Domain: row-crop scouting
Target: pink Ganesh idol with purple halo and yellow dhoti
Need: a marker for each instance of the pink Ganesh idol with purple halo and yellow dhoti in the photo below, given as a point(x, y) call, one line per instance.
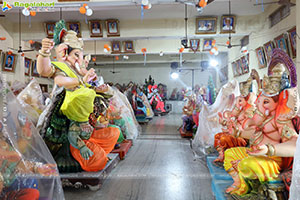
point(271, 131)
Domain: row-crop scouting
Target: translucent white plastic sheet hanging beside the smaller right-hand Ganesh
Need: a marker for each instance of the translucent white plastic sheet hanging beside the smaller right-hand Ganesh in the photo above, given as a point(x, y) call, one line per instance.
point(209, 120)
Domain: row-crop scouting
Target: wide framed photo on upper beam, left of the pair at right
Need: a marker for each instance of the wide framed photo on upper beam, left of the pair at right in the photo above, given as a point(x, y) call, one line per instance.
point(206, 25)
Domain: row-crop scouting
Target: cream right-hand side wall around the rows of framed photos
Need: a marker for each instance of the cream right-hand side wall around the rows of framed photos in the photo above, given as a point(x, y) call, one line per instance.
point(260, 33)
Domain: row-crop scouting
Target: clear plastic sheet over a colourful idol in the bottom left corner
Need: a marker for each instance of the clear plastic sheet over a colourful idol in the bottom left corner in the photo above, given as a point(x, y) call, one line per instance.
point(26, 165)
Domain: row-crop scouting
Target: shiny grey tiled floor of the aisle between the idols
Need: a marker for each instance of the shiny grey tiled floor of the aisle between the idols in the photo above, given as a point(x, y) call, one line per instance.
point(160, 166)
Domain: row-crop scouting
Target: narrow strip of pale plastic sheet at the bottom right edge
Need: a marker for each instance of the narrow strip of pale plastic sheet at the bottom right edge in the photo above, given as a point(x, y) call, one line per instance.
point(295, 186)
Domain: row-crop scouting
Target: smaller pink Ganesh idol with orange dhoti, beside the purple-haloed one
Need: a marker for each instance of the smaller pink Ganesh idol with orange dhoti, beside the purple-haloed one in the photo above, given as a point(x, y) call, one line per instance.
point(233, 121)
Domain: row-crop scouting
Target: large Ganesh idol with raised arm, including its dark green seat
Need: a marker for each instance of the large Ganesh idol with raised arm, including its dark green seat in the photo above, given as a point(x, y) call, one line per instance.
point(67, 129)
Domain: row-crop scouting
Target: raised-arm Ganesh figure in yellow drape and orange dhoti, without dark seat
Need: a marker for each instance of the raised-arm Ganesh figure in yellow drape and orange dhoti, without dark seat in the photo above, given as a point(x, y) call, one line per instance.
point(88, 146)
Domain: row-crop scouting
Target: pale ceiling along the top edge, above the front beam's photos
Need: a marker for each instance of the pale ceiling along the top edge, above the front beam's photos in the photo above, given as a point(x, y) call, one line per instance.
point(130, 9)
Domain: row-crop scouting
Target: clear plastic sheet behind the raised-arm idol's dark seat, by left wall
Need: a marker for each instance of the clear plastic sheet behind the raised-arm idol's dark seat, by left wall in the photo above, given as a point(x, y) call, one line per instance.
point(31, 99)
